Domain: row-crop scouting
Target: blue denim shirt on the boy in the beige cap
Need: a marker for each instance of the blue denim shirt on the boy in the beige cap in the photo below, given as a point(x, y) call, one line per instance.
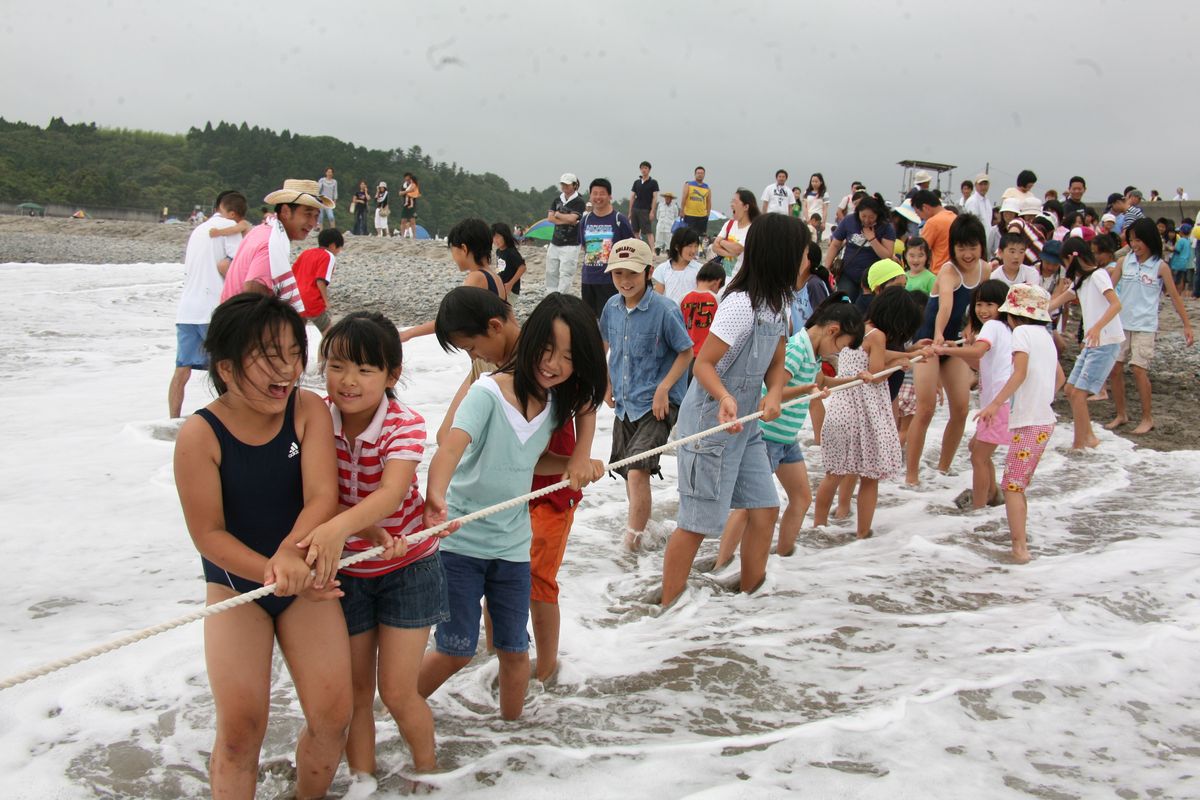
point(643, 346)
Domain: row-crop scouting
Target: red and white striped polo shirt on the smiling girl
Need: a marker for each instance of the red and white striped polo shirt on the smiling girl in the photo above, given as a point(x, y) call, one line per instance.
point(395, 432)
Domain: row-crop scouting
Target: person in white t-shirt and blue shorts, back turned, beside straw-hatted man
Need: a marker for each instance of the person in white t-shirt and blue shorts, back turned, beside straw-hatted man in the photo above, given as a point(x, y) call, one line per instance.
point(206, 262)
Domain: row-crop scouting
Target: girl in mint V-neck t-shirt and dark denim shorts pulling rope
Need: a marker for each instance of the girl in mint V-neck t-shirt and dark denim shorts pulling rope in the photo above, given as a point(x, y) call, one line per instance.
point(500, 438)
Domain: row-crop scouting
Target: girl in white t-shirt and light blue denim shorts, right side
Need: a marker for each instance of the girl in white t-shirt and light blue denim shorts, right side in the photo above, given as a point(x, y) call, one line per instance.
point(1103, 334)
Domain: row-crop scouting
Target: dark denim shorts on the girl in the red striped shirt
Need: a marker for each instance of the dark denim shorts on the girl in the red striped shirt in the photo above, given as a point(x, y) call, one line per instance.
point(413, 597)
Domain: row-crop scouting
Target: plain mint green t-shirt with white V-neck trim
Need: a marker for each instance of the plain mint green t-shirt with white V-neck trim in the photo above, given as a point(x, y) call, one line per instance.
point(497, 466)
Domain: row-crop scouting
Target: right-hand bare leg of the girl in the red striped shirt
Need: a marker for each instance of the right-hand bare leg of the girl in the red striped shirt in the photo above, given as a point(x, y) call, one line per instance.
point(401, 653)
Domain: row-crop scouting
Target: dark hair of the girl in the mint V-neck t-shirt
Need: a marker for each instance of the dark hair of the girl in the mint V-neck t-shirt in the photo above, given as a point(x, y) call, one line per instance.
point(590, 372)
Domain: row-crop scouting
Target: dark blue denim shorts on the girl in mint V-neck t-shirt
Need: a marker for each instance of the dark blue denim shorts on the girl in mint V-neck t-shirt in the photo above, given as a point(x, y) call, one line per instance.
point(506, 585)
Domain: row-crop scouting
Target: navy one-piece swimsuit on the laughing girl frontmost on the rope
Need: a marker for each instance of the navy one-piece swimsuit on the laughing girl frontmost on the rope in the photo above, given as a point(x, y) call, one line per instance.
point(262, 494)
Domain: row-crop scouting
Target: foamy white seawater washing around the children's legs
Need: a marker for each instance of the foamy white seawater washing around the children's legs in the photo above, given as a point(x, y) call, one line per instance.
point(920, 664)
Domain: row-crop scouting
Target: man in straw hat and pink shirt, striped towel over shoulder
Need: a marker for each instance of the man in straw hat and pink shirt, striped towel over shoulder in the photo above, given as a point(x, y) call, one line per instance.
point(263, 262)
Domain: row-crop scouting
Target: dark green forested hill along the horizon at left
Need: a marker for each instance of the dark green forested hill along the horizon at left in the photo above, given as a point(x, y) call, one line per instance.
point(85, 165)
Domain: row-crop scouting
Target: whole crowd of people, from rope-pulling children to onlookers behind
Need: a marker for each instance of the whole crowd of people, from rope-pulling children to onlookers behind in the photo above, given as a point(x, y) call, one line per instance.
point(278, 484)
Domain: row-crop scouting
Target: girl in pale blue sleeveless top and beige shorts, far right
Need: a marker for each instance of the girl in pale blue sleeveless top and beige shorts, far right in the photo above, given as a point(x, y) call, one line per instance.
point(1142, 279)
